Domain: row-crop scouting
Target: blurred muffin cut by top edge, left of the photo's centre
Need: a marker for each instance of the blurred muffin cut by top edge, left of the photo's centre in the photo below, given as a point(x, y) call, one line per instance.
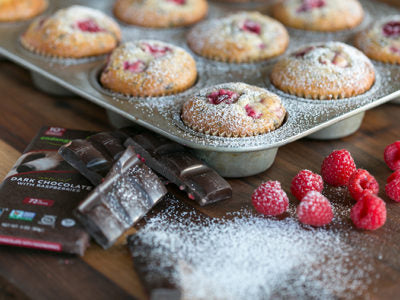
point(160, 13)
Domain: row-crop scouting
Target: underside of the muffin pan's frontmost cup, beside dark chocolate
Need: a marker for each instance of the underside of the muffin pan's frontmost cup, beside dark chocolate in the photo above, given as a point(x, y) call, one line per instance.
point(238, 164)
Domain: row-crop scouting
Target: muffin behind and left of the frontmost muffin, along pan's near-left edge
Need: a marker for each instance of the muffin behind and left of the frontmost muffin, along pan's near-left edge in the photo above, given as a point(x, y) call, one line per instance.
point(149, 68)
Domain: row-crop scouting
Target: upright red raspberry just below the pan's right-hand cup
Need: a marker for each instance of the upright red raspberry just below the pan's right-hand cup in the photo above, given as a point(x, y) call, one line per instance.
point(337, 168)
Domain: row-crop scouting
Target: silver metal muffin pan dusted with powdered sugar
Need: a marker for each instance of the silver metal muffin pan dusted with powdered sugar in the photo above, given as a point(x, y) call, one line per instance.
point(232, 157)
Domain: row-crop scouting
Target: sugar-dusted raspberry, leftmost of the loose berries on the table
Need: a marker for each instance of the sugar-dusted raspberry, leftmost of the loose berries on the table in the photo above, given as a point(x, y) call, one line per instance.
point(269, 199)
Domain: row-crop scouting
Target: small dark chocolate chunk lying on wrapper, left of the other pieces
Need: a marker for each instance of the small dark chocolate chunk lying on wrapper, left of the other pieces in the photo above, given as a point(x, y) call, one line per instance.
point(84, 157)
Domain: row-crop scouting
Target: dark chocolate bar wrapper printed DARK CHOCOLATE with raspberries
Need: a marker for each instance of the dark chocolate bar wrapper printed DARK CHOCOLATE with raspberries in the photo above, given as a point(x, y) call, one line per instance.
point(38, 195)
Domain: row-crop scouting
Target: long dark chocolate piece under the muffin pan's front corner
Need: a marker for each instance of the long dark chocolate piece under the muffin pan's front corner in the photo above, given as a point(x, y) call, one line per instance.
point(175, 163)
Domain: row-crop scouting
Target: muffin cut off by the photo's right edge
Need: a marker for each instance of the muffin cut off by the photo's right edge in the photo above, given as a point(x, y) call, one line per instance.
point(381, 41)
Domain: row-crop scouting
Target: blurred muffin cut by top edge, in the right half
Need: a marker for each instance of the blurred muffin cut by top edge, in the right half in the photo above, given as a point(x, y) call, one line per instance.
point(319, 15)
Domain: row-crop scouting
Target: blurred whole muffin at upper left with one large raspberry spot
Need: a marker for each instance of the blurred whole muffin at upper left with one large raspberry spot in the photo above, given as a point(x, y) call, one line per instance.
point(73, 32)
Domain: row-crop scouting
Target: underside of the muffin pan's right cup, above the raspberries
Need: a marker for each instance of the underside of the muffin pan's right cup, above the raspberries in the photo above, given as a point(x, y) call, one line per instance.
point(340, 129)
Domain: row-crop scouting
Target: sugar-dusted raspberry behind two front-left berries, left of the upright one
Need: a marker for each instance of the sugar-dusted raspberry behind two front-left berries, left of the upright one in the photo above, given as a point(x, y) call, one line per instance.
point(304, 182)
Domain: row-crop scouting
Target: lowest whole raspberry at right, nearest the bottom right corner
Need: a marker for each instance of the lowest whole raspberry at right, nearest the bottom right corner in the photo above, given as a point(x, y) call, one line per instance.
point(369, 212)
